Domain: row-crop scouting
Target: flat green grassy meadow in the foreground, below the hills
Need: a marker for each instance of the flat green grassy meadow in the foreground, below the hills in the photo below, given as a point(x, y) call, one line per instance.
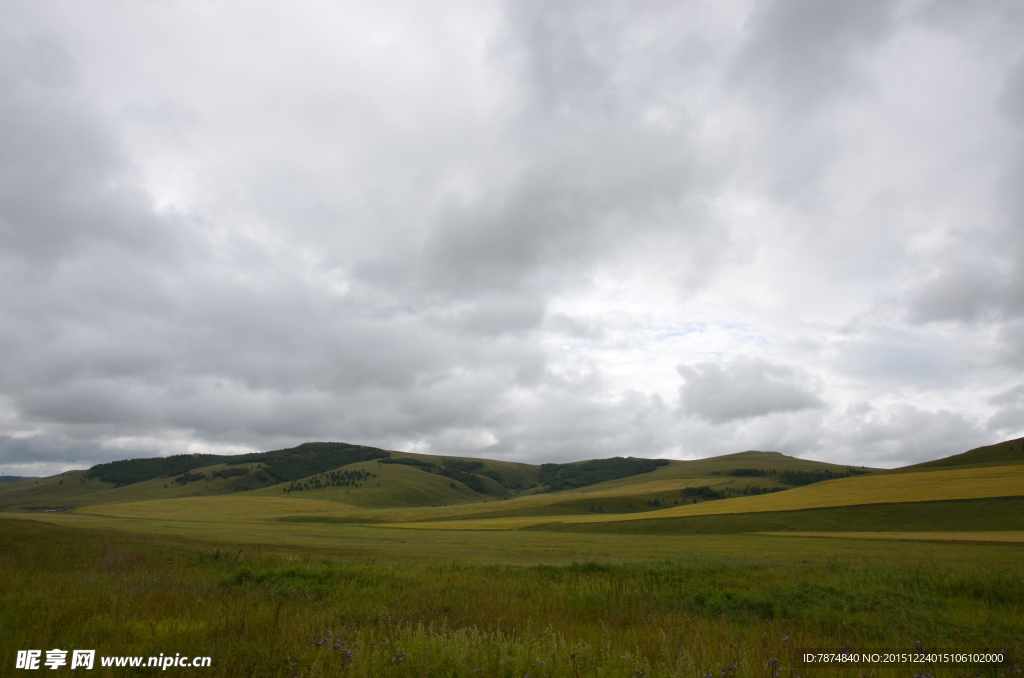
point(727, 606)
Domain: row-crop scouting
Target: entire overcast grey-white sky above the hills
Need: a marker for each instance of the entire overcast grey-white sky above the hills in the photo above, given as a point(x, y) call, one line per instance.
point(539, 232)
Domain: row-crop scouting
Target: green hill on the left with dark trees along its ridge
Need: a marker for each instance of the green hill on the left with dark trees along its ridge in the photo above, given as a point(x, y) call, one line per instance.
point(312, 470)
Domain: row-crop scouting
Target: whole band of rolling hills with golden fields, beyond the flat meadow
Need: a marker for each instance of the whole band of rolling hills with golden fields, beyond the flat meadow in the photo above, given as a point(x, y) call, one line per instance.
point(749, 492)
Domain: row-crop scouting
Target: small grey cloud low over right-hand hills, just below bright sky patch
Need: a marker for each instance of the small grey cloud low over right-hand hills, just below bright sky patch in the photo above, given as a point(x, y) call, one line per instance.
point(744, 389)
